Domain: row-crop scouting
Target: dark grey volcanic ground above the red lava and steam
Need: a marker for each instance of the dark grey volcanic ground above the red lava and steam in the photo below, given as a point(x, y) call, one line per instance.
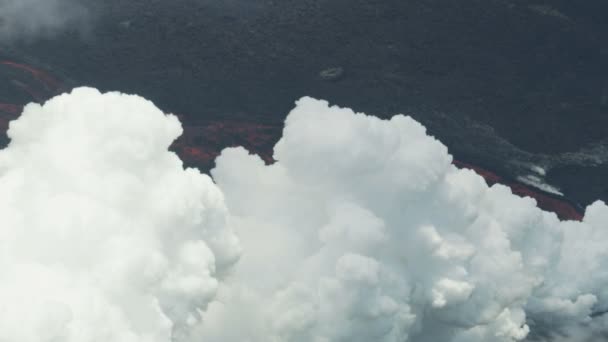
point(517, 87)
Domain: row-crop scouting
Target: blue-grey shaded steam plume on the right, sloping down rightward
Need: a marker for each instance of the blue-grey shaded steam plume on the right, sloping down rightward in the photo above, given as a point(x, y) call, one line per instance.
point(364, 231)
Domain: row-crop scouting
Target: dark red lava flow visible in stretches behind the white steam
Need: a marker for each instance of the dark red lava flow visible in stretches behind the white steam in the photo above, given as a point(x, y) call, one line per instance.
point(202, 142)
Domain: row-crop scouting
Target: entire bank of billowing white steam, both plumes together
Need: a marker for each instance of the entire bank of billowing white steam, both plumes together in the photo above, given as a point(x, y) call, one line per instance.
point(361, 231)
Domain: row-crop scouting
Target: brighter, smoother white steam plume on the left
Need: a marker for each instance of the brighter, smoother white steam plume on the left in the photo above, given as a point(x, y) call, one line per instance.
point(103, 235)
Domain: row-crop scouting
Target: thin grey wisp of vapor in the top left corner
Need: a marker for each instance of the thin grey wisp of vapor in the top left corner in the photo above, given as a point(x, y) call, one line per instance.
point(29, 19)
